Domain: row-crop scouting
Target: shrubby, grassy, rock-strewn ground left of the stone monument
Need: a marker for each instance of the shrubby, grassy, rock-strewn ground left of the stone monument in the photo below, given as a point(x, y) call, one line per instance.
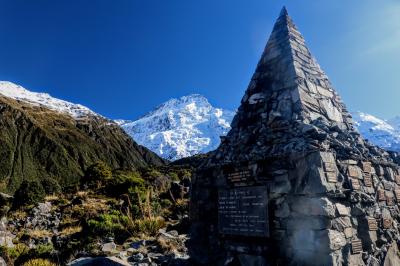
point(106, 214)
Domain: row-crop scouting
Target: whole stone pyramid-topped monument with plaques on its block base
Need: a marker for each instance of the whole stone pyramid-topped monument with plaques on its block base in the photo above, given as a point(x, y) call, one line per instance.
point(294, 183)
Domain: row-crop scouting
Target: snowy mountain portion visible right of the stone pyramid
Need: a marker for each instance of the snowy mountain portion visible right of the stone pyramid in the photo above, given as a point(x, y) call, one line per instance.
point(385, 134)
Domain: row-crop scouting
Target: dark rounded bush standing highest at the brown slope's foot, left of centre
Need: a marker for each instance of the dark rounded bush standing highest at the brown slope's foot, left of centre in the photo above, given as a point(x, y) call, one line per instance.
point(96, 174)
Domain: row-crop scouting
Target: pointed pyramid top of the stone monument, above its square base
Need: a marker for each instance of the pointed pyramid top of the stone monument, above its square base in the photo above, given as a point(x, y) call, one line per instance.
point(289, 106)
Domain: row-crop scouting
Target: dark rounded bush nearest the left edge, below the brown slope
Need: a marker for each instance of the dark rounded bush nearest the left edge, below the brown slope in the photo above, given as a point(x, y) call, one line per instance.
point(30, 192)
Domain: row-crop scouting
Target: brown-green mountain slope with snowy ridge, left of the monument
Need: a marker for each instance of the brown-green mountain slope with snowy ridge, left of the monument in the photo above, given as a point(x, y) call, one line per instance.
point(43, 137)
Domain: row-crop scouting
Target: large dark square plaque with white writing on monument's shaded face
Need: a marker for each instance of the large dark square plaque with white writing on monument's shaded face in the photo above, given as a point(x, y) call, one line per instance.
point(243, 211)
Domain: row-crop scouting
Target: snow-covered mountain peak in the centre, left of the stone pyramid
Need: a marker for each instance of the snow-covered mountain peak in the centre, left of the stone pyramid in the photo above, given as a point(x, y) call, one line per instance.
point(181, 127)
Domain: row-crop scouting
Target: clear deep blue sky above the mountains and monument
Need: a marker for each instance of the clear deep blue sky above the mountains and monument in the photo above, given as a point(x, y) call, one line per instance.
point(122, 58)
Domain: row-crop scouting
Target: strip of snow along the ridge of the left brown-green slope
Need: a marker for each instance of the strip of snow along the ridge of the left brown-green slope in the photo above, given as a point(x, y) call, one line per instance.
point(17, 92)
